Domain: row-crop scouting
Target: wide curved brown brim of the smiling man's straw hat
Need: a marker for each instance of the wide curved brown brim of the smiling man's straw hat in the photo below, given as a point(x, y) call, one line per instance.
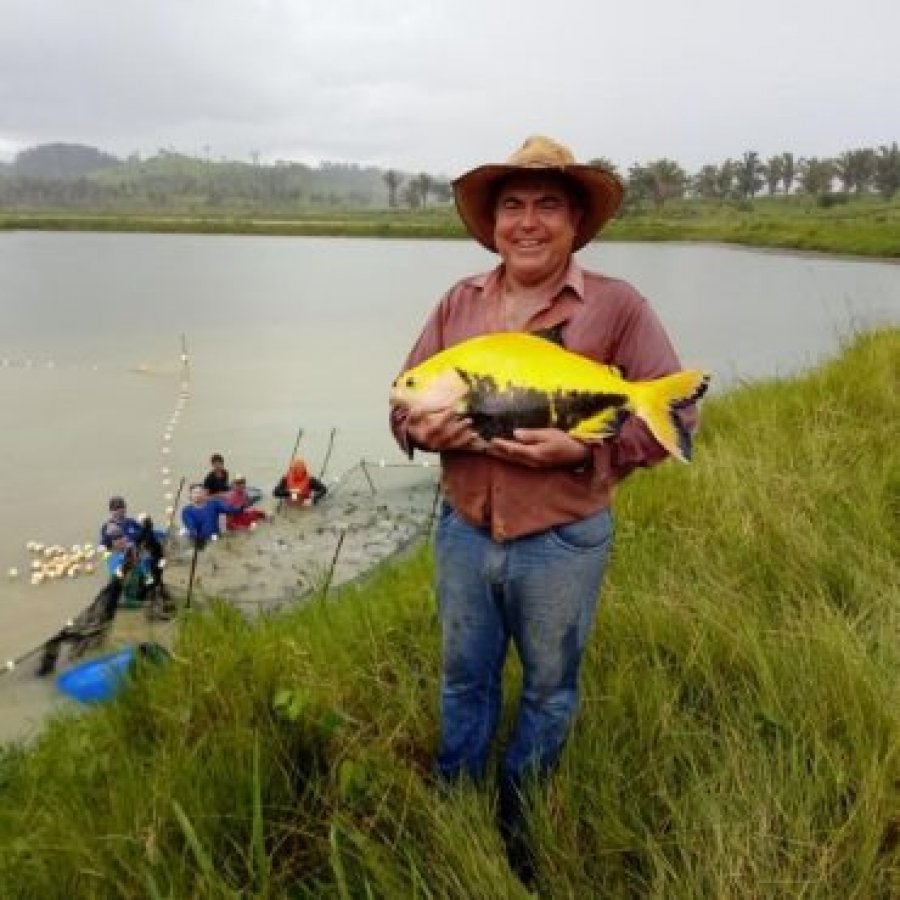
point(475, 196)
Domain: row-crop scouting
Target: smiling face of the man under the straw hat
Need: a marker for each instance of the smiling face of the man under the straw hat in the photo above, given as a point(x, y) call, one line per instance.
point(534, 227)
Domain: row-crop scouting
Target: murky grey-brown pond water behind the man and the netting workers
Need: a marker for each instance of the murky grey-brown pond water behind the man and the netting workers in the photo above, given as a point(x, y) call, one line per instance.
point(291, 332)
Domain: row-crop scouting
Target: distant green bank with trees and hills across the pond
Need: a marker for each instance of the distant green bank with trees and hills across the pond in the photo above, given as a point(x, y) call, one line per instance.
point(849, 204)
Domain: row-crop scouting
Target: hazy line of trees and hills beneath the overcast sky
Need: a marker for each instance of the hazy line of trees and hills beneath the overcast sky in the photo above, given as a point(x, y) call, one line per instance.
point(76, 176)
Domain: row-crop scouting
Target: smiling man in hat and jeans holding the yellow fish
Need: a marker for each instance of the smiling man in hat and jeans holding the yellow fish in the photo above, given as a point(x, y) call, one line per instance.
point(525, 530)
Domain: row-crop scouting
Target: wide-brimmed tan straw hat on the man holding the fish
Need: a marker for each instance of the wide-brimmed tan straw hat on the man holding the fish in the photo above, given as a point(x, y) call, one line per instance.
point(475, 191)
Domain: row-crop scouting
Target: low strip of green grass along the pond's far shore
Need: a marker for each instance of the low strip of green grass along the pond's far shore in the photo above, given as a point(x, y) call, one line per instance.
point(865, 227)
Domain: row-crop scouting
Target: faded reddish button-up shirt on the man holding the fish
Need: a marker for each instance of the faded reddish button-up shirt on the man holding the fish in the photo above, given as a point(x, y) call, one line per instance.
point(602, 318)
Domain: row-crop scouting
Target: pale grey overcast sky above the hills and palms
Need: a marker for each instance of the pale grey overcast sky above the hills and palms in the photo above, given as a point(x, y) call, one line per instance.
point(442, 85)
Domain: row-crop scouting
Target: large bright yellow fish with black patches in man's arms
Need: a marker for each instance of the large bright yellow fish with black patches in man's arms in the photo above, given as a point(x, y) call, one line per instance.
point(513, 380)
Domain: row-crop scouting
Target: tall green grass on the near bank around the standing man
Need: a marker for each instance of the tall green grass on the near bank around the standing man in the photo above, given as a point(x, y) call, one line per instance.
point(738, 736)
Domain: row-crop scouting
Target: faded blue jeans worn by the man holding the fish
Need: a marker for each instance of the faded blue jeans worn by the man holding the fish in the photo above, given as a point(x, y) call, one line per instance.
point(541, 591)
